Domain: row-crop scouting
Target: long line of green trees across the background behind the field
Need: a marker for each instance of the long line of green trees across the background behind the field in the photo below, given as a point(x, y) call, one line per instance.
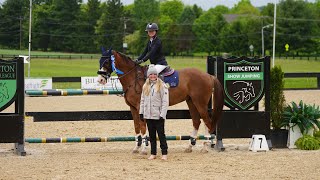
point(74, 26)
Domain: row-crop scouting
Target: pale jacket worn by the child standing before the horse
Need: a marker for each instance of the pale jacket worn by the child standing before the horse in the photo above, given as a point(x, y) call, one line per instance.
point(156, 104)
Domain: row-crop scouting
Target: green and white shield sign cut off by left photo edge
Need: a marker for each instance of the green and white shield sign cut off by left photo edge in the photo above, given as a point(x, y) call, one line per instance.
point(8, 83)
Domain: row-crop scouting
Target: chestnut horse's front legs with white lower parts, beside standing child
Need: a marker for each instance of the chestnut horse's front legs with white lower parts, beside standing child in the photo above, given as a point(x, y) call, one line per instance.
point(140, 130)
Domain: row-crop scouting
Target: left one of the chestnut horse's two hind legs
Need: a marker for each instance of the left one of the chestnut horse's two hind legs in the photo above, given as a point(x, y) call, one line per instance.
point(196, 123)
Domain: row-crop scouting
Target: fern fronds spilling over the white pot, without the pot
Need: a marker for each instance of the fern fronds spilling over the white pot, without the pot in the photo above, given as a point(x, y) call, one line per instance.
point(303, 115)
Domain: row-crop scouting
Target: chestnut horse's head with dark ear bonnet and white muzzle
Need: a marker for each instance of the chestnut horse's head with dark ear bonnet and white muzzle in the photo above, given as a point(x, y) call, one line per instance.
point(105, 69)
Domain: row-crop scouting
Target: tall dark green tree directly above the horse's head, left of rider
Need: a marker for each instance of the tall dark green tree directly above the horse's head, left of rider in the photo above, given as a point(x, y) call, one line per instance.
point(110, 25)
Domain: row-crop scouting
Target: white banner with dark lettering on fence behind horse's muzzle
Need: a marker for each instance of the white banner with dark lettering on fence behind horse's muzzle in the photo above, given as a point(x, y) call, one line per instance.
point(92, 83)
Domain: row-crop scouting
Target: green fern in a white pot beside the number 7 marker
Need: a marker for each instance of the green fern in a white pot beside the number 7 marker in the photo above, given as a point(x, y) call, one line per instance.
point(301, 119)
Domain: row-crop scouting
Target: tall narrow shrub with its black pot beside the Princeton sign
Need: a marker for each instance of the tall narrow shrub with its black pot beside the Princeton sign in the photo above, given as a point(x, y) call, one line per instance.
point(279, 135)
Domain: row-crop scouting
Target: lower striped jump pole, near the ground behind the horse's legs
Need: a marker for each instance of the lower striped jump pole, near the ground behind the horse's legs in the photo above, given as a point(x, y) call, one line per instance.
point(100, 139)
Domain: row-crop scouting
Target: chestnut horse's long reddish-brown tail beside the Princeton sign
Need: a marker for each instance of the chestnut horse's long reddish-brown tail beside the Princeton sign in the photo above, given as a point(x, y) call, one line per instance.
point(217, 102)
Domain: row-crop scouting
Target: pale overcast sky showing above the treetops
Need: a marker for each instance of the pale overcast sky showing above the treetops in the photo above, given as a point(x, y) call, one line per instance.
point(206, 4)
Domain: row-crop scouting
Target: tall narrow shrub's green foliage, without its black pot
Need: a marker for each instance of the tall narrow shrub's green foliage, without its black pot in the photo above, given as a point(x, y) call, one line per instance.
point(277, 99)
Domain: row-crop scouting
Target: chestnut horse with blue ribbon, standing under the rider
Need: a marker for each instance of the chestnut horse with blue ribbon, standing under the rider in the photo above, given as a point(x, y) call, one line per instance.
point(195, 87)
